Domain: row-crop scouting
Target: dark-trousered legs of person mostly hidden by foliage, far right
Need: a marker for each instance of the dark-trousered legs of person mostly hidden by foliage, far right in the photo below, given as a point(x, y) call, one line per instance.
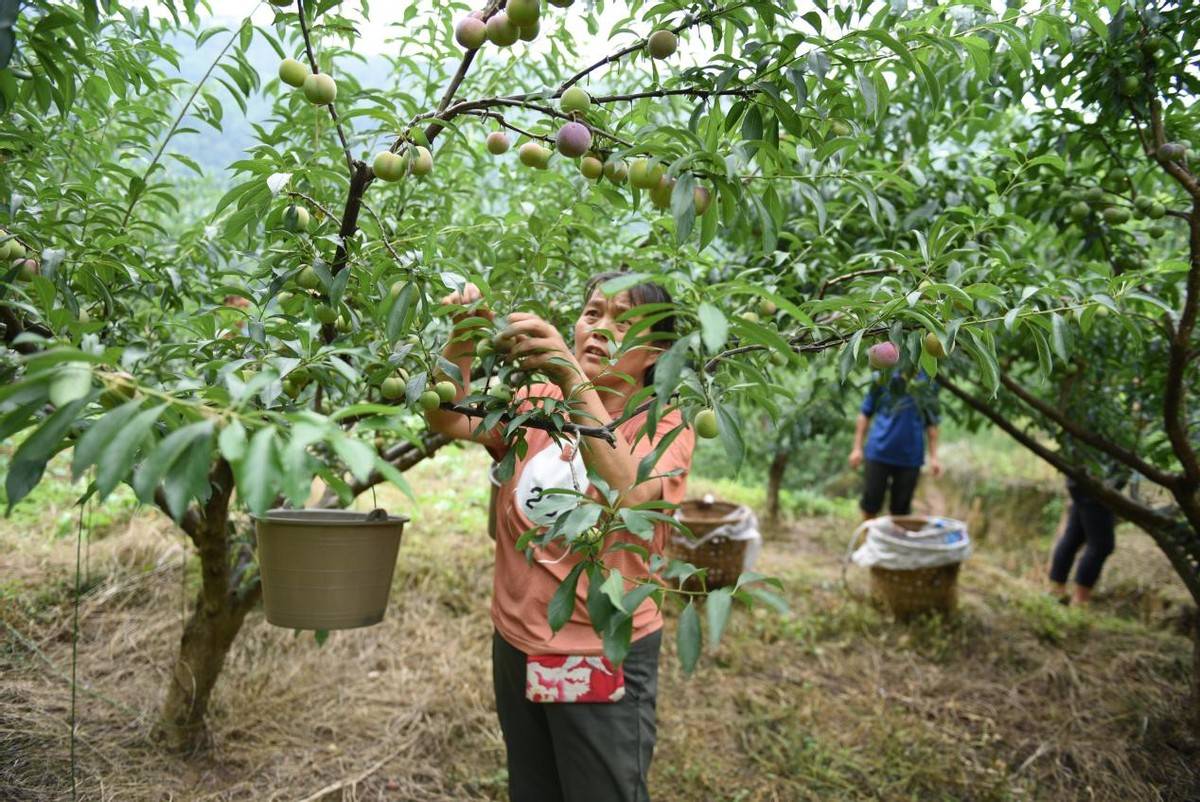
point(1090, 526)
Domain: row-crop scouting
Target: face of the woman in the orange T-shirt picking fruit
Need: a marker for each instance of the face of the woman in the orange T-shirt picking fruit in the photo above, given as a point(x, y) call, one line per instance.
point(598, 334)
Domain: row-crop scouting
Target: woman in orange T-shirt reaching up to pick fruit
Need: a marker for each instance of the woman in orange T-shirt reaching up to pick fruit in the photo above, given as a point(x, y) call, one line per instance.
point(577, 727)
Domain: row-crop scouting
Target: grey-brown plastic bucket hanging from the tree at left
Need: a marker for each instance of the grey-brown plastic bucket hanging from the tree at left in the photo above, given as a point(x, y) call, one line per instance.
point(327, 568)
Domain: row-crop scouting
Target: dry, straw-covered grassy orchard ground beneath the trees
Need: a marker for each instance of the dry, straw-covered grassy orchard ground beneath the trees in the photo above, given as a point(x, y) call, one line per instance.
point(1017, 698)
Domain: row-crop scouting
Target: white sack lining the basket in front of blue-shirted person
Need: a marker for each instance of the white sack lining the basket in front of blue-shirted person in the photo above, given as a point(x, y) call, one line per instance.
point(939, 542)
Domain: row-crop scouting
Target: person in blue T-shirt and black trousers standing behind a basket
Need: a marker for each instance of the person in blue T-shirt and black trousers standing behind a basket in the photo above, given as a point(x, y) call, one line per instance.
point(901, 420)
